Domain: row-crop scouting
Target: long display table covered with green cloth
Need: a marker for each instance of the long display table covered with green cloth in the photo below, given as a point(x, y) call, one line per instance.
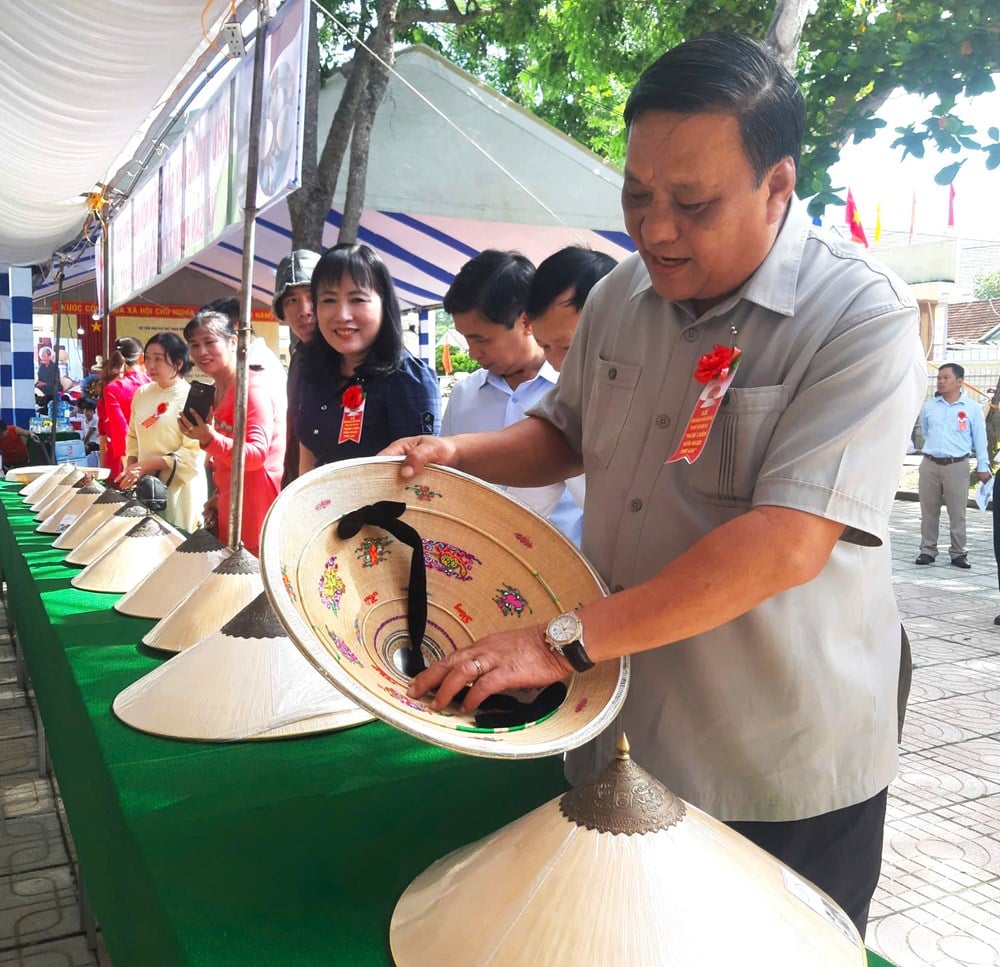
point(289, 852)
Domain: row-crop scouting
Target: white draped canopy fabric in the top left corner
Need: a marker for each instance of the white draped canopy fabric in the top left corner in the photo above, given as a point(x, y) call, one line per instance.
point(80, 81)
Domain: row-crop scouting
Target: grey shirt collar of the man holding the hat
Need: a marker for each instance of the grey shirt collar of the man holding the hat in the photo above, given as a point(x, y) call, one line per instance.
point(773, 285)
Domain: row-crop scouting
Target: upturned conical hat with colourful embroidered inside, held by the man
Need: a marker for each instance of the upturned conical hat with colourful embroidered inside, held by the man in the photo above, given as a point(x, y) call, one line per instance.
point(490, 565)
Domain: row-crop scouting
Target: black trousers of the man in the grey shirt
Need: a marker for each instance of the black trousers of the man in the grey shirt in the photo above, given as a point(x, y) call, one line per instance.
point(840, 852)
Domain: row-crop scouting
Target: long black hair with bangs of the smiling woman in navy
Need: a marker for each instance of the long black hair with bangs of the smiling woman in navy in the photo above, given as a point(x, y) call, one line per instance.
point(367, 270)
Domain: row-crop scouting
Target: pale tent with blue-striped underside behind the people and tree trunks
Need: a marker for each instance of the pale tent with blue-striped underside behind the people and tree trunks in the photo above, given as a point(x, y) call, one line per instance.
point(438, 192)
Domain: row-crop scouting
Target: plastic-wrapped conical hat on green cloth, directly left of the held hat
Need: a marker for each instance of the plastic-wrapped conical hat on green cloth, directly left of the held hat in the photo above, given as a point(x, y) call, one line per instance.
point(245, 681)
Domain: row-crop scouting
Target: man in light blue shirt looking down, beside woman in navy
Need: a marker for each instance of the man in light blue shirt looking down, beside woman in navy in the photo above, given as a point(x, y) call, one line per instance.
point(486, 300)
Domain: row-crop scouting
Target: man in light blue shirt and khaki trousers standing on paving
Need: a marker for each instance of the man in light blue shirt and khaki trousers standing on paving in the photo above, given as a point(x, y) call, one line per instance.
point(953, 427)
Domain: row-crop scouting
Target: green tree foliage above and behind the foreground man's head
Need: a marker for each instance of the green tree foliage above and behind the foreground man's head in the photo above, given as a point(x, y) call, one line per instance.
point(573, 63)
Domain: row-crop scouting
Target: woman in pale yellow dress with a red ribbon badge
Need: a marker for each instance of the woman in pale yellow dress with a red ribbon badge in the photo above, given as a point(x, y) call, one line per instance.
point(155, 446)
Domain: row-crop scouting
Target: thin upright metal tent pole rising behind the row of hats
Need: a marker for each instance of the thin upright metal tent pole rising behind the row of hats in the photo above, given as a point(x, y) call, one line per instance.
point(246, 287)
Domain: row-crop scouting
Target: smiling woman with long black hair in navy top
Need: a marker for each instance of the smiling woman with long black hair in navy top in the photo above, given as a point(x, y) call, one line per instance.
point(360, 388)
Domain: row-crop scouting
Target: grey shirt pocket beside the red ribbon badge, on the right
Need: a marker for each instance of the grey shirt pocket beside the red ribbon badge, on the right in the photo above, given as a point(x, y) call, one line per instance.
point(739, 441)
